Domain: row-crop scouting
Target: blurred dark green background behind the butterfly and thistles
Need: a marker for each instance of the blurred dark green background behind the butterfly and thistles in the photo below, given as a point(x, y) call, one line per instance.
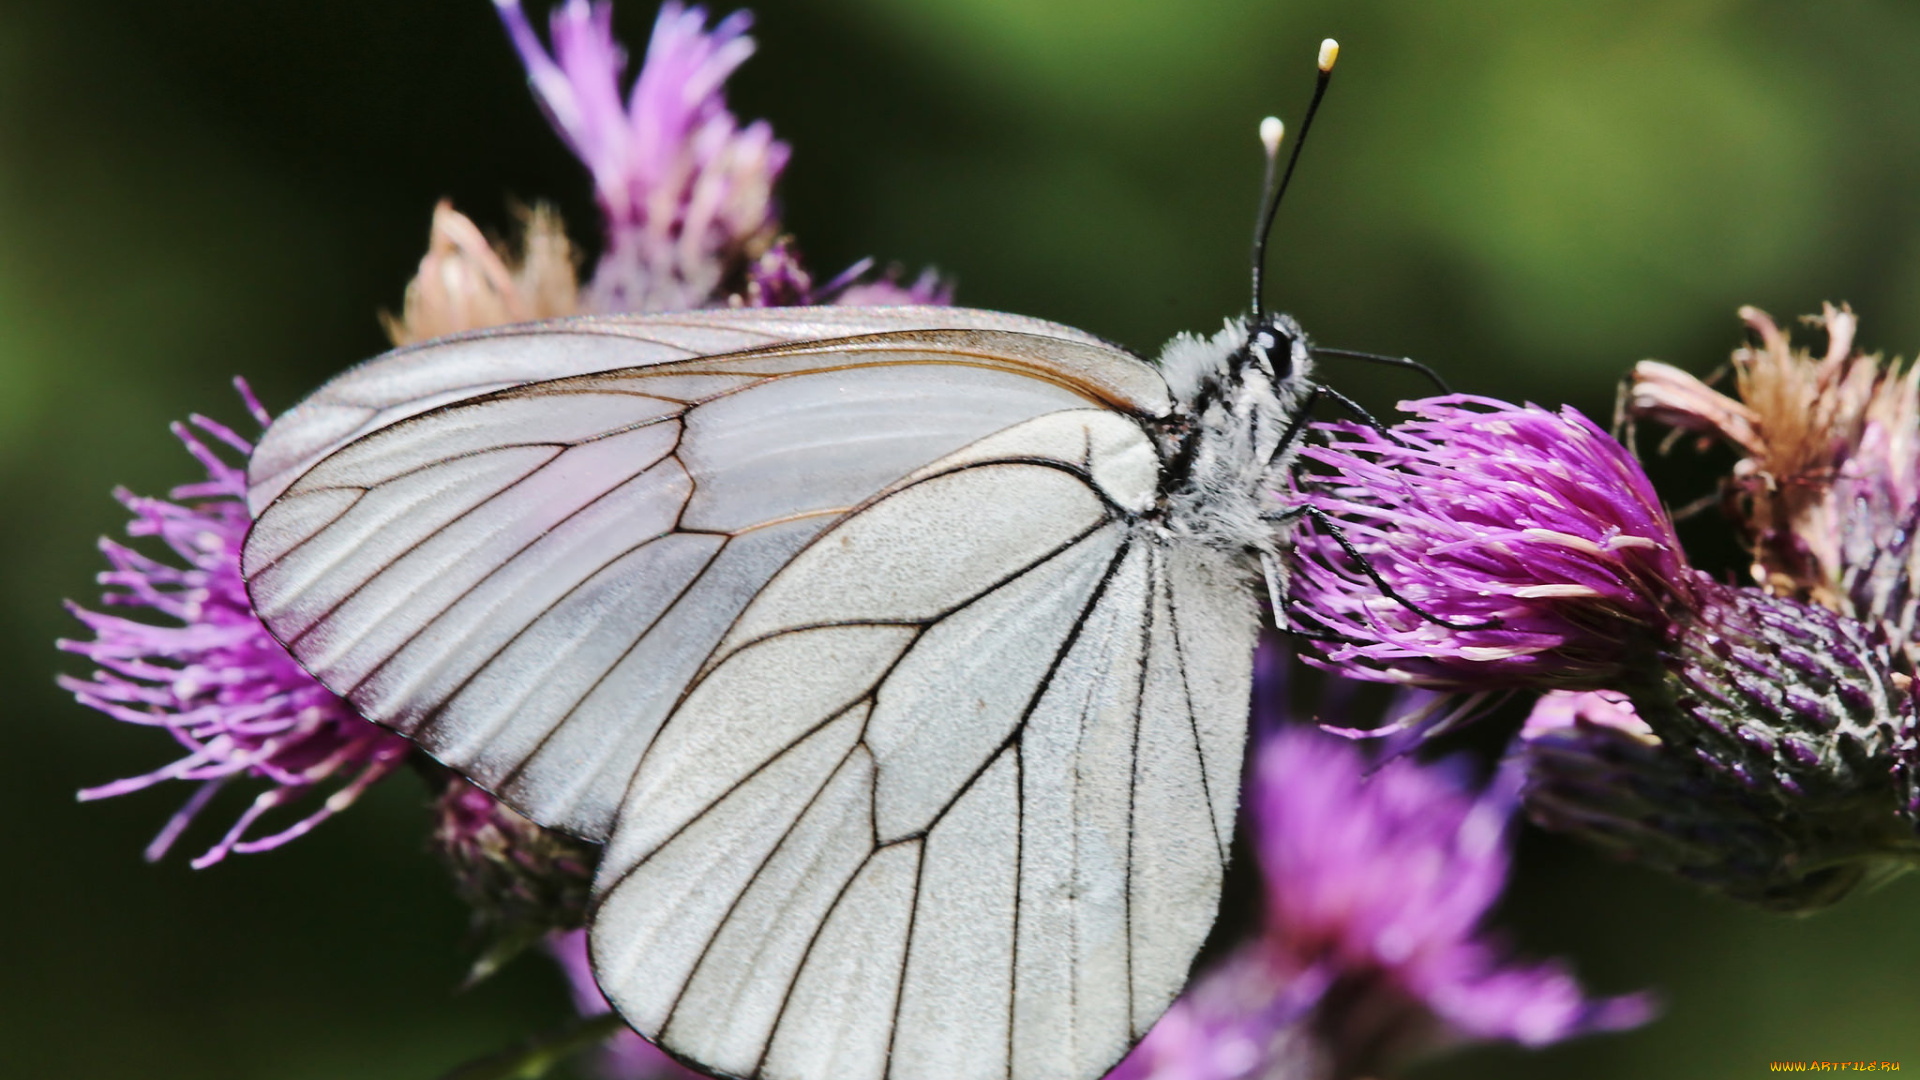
point(1529, 195)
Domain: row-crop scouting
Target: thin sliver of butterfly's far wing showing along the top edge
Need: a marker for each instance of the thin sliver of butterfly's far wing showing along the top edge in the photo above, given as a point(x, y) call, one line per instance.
point(414, 380)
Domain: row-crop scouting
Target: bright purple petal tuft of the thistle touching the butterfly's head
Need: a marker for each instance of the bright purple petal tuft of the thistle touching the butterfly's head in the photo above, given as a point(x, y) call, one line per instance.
point(1531, 524)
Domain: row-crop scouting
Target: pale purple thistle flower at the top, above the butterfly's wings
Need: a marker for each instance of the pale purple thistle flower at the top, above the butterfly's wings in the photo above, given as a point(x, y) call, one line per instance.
point(684, 189)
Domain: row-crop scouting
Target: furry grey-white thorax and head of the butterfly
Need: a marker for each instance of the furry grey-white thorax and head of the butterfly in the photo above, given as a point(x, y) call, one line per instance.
point(1232, 410)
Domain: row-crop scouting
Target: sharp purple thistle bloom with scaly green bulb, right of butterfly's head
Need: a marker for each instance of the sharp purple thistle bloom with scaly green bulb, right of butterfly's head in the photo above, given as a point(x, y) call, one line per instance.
point(1543, 545)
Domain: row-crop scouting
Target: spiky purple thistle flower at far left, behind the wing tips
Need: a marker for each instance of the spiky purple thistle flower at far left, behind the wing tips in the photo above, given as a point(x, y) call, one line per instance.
point(218, 681)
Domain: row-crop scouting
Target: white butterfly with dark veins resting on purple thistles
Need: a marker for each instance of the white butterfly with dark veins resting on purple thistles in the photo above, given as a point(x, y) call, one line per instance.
point(900, 658)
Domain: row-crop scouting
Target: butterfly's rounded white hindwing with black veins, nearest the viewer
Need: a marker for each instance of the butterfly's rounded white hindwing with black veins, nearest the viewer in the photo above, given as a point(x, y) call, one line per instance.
point(894, 827)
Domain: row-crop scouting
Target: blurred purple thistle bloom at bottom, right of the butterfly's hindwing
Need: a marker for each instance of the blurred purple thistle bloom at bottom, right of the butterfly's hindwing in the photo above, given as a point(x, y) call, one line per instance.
point(1378, 885)
